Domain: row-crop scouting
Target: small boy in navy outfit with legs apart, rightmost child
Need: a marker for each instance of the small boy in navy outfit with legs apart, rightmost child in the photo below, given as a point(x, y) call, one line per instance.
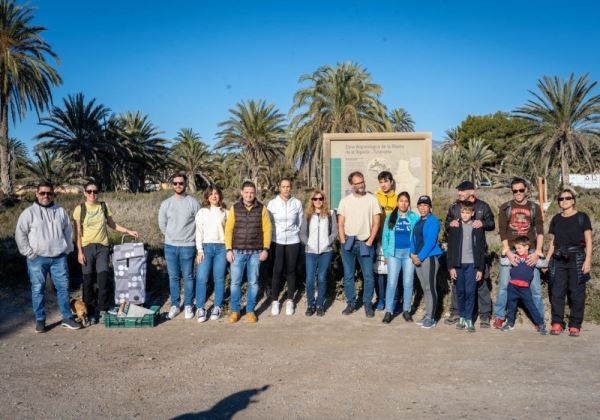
point(521, 276)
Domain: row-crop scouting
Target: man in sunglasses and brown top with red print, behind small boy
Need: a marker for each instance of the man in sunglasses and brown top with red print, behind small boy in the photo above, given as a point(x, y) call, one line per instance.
point(519, 217)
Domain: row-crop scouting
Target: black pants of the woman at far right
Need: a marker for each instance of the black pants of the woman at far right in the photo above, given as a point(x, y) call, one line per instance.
point(566, 285)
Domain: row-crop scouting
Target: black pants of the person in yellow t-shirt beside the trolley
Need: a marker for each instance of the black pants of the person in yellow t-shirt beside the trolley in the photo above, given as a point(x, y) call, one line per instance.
point(96, 260)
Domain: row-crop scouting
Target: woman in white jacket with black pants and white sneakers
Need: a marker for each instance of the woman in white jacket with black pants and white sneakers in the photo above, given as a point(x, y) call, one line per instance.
point(286, 213)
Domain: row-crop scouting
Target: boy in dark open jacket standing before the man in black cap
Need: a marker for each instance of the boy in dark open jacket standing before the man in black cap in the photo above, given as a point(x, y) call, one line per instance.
point(466, 262)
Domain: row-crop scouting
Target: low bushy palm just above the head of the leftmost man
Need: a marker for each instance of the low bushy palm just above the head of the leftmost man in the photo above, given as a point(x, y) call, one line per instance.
point(51, 167)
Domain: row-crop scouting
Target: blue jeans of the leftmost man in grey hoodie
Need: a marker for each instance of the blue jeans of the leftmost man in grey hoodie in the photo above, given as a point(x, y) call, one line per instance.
point(38, 269)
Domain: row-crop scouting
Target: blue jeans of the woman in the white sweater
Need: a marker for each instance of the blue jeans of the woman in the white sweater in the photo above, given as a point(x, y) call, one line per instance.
point(214, 258)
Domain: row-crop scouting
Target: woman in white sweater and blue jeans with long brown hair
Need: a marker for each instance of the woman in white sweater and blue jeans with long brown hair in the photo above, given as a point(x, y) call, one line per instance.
point(211, 253)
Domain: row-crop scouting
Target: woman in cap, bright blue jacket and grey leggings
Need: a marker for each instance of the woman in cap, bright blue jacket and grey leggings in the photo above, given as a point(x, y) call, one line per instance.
point(424, 251)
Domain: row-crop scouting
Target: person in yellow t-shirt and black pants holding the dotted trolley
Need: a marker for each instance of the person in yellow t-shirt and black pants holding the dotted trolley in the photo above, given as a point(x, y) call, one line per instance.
point(92, 219)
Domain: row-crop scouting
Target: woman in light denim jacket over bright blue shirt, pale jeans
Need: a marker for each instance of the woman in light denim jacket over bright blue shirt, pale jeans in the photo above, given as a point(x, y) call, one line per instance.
point(397, 233)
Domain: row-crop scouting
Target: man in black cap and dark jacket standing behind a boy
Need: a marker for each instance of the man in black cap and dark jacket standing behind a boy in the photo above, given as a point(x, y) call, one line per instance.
point(484, 219)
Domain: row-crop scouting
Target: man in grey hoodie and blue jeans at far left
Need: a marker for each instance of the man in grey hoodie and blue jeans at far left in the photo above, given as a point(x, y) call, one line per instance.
point(44, 235)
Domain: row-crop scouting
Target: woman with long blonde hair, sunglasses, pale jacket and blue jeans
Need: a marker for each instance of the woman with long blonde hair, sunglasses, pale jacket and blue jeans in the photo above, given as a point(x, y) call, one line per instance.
point(317, 232)
